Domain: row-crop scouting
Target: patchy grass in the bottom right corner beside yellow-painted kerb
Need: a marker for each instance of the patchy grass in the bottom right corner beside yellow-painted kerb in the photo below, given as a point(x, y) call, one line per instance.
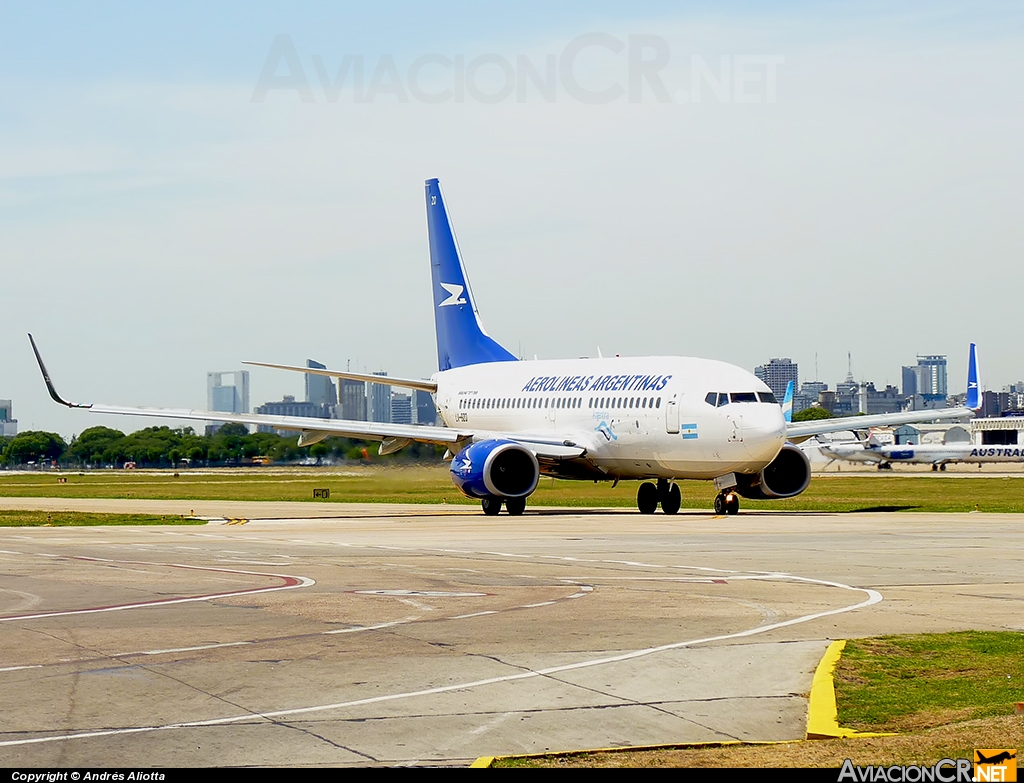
point(946, 694)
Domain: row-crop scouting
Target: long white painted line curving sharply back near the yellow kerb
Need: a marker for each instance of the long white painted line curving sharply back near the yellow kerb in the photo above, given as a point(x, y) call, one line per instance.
point(874, 597)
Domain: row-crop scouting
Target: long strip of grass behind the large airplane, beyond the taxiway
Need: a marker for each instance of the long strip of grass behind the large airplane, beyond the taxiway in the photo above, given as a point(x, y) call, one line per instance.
point(432, 486)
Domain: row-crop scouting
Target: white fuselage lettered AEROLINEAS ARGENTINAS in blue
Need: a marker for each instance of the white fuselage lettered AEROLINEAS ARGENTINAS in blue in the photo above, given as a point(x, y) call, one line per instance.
point(658, 417)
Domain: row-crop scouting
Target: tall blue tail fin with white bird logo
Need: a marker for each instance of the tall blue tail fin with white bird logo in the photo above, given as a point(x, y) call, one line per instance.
point(461, 339)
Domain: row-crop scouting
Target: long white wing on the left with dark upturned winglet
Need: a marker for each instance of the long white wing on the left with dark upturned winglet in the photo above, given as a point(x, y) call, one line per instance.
point(393, 437)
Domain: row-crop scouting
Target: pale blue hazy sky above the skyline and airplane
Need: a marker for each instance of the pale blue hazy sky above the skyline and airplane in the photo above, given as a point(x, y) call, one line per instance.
point(188, 186)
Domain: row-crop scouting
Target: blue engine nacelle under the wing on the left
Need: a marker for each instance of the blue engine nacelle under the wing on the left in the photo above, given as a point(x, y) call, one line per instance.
point(496, 469)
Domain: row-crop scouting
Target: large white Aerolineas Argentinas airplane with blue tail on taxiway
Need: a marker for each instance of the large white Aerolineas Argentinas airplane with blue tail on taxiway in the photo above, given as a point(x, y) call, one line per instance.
point(659, 420)
